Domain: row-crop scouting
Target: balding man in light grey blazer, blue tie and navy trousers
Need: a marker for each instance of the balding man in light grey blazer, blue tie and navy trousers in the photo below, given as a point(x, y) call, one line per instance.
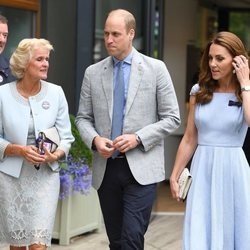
point(127, 168)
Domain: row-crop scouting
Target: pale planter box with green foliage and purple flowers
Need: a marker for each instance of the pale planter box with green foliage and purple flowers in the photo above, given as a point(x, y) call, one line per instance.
point(78, 209)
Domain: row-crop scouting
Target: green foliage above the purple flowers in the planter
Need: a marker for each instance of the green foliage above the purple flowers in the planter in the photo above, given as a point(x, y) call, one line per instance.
point(79, 150)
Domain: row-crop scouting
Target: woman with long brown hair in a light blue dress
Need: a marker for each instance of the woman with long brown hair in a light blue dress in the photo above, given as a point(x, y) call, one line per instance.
point(217, 213)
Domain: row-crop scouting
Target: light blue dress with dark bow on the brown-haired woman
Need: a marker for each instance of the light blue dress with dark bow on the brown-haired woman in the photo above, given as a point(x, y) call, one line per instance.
point(218, 205)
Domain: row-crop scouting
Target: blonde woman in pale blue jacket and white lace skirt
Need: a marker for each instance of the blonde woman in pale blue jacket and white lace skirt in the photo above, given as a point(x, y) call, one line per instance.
point(29, 195)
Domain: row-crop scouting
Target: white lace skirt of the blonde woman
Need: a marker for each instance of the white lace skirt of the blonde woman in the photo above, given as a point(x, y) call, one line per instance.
point(28, 206)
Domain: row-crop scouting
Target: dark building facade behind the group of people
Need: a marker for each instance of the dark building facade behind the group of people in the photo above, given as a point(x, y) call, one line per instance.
point(174, 31)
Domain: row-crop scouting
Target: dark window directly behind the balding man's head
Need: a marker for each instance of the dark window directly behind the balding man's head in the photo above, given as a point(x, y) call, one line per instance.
point(149, 25)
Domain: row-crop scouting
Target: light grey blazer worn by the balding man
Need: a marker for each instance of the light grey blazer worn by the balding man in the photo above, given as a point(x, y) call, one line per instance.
point(152, 112)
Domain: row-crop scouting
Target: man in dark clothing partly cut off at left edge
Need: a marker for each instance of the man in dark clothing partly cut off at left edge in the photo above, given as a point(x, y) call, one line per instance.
point(5, 73)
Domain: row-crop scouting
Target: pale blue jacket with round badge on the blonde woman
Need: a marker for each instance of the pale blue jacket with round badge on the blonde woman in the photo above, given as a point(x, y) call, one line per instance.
point(49, 108)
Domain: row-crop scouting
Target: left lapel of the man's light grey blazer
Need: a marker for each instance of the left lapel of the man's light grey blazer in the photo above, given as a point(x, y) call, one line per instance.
point(107, 83)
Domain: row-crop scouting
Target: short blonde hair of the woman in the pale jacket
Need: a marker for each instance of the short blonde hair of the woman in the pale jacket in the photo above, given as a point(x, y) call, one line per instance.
point(24, 52)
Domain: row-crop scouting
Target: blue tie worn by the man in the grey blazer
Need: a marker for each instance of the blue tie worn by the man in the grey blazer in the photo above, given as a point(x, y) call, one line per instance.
point(118, 104)
